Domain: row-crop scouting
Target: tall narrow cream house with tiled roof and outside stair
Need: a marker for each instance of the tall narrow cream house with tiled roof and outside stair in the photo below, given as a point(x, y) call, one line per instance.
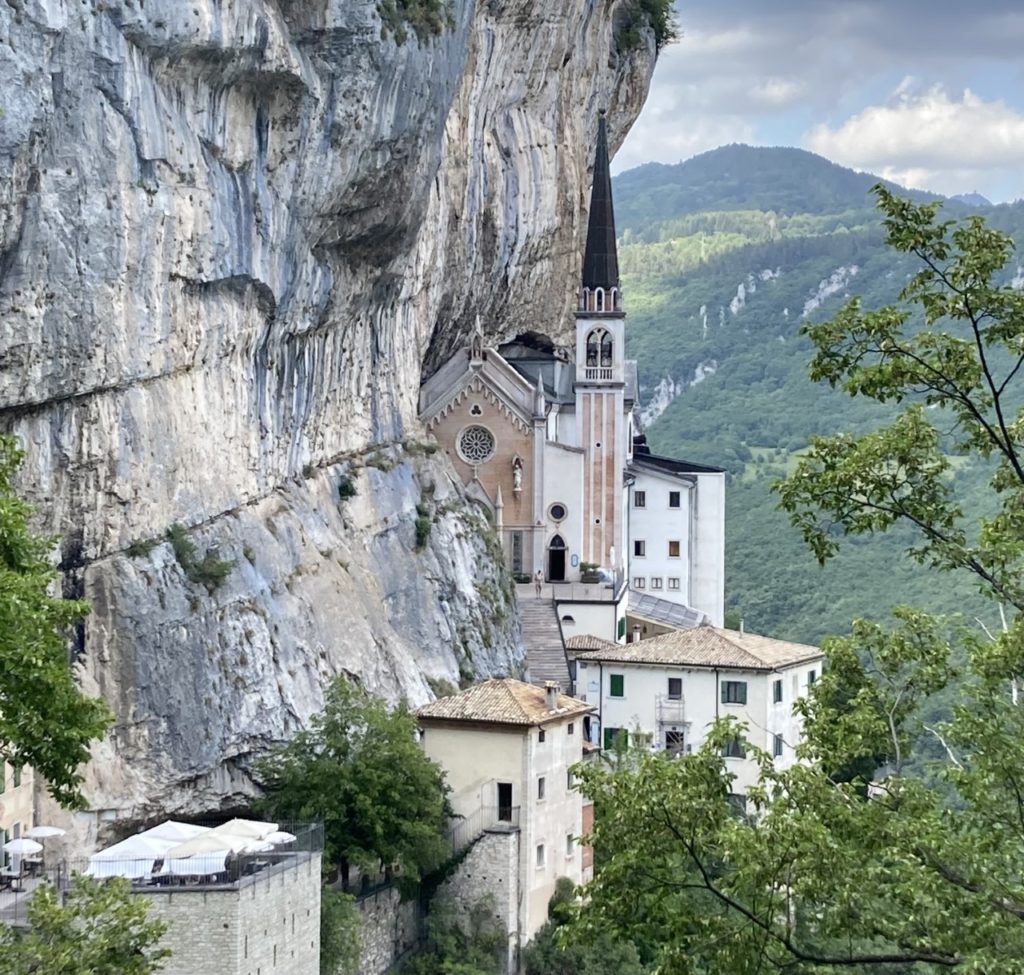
point(507, 748)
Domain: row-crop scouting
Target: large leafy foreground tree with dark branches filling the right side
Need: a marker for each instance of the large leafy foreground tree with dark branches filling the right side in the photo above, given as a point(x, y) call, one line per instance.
point(913, 874)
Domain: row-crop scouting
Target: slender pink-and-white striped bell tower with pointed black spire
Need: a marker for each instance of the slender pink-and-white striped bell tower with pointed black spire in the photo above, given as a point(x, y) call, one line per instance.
point(601, 378)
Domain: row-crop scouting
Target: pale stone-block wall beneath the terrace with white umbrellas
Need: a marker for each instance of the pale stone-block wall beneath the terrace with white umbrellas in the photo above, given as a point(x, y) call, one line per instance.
point(269, 924)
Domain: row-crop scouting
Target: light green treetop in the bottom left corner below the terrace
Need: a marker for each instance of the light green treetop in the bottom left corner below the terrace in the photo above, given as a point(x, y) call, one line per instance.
point(101, 929)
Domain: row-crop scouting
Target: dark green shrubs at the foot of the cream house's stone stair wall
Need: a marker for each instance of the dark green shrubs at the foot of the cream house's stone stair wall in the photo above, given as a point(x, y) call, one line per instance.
point(461, 941)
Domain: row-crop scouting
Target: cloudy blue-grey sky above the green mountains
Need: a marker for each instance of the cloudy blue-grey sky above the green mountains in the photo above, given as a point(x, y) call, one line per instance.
point(929, 94)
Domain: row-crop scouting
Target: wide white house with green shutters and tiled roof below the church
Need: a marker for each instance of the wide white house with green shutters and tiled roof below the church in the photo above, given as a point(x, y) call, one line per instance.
point(672, 688)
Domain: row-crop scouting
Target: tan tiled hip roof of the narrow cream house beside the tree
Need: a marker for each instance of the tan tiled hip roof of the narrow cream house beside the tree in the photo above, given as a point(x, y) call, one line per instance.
point(502, 701)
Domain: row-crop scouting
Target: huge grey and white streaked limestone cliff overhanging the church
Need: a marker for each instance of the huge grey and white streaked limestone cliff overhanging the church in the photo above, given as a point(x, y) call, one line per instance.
point(234, 235)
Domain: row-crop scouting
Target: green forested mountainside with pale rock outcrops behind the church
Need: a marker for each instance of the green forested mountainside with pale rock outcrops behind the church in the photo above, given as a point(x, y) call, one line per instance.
point(726, 258)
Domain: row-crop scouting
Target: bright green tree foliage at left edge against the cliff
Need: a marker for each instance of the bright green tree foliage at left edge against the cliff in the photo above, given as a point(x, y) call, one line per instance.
point(46, 720)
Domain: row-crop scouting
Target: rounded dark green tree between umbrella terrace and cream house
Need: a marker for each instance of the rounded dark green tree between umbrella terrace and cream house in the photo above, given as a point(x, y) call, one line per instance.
point(359, 770)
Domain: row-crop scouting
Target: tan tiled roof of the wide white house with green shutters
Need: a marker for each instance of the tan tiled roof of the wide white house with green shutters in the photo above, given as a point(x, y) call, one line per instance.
point(709, 647)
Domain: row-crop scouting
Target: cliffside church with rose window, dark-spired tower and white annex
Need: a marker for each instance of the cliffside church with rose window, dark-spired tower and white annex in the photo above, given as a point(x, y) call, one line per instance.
point(546, 440)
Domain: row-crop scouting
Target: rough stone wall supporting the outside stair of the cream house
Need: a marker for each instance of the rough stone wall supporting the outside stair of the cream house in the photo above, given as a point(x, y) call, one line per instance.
point(492, 870)
